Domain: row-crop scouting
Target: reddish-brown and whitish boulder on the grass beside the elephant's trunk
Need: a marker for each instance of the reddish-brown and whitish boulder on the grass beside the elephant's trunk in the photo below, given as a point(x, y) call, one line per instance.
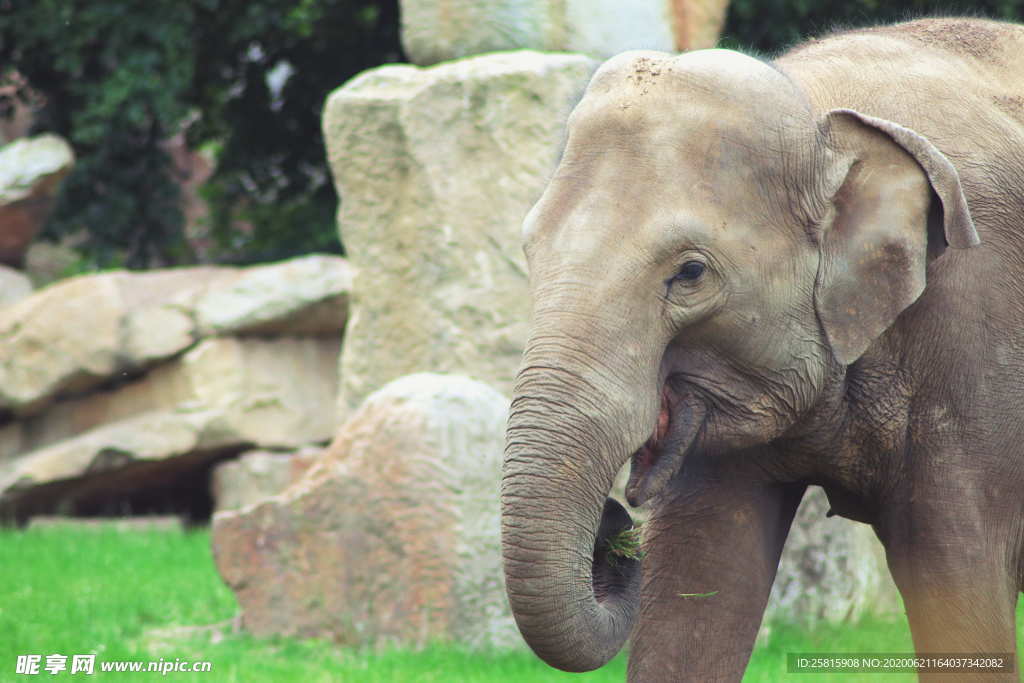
point(394, 537)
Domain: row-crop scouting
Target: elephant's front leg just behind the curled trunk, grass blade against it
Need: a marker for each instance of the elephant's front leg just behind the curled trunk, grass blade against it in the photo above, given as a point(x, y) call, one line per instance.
point(712, 549)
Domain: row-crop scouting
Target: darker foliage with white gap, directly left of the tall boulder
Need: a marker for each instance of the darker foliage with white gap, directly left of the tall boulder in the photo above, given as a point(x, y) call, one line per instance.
point(272, 172)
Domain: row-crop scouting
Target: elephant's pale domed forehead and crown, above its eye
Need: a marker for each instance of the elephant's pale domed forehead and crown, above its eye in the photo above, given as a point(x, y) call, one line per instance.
point(674, 157)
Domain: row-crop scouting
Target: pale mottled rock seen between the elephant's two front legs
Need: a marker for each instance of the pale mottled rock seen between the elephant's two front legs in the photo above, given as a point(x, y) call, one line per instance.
point(832, 571)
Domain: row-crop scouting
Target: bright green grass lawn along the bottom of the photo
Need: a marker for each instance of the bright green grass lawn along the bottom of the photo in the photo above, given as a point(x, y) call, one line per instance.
point(111, 593)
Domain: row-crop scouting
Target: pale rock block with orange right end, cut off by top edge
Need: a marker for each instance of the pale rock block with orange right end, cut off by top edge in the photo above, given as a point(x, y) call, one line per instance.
point(435, 31)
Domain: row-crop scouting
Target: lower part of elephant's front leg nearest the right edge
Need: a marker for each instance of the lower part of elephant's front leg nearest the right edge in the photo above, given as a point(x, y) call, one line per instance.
point(956, 568)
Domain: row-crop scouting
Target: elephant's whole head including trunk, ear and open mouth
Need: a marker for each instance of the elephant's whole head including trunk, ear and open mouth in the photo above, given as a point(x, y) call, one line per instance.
point(709, 258)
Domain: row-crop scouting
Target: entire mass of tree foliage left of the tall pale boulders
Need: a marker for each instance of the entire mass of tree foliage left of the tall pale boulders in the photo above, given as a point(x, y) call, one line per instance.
point(121, 77)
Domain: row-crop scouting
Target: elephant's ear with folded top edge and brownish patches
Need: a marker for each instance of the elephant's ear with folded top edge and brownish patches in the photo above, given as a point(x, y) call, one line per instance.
point(875, 251)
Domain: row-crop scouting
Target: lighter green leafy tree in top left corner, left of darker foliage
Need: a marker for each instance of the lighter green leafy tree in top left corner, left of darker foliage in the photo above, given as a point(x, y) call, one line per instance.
point(112, 75)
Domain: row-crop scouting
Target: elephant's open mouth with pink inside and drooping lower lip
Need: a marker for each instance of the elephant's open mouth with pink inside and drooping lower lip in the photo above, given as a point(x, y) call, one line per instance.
point(662, 456)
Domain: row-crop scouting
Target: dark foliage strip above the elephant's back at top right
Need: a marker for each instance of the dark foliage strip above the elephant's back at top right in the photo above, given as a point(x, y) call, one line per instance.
point(772, 26)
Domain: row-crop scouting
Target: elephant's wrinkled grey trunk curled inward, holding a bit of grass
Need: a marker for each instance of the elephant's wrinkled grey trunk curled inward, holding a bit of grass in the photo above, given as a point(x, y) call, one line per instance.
point(574, 602)
